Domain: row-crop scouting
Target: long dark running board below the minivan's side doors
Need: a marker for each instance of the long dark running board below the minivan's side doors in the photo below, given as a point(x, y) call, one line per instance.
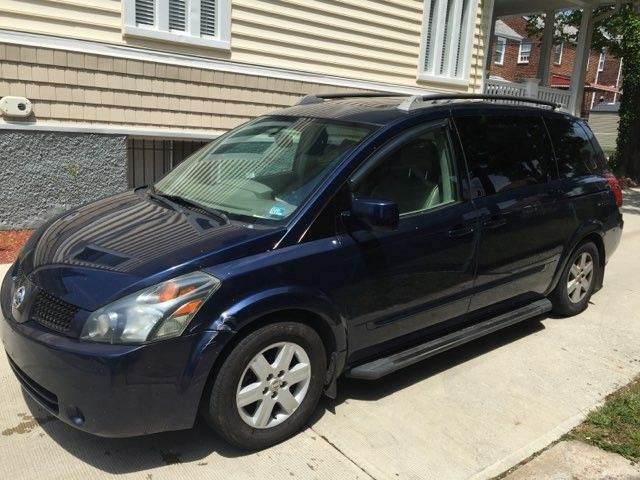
point(386, 365)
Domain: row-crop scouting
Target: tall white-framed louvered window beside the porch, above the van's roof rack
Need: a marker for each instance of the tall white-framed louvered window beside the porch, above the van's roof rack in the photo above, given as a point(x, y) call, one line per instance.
point(447, 36)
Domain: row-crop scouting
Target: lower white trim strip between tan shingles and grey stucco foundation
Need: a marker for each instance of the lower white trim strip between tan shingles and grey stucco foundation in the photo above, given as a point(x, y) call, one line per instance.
point(110, 130)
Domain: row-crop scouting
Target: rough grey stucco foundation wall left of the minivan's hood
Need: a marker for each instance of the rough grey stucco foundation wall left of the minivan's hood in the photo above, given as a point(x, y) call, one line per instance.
point(45, 173)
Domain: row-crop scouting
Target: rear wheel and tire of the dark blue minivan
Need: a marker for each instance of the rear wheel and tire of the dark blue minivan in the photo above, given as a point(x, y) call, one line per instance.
point(577, 282)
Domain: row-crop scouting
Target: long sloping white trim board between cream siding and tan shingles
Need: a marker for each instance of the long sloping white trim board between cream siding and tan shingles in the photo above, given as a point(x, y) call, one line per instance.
point(131, 53)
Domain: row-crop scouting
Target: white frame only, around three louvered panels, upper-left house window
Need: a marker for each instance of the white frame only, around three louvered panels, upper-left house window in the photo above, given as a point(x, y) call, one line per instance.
point(160, 31)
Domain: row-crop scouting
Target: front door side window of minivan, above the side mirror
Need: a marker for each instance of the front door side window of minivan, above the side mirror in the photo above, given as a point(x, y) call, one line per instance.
point(418, 175)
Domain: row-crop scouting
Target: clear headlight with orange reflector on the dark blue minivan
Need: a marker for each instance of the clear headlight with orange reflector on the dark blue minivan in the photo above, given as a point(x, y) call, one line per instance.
point(155, 313)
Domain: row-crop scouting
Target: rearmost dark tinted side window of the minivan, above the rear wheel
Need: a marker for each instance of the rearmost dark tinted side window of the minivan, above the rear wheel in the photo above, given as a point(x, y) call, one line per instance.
point(575, 151)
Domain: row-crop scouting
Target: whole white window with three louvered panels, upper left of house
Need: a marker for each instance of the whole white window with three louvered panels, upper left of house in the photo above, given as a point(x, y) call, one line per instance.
point(201, 22)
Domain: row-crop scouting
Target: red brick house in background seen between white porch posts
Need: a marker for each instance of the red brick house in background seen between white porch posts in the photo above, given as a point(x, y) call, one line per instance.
point(516, 58)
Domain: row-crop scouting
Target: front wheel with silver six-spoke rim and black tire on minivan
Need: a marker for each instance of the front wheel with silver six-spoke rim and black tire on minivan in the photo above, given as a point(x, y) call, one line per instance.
point(253, 370)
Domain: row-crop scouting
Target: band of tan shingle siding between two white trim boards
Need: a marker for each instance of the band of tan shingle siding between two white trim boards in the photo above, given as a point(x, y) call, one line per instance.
point(74, 87)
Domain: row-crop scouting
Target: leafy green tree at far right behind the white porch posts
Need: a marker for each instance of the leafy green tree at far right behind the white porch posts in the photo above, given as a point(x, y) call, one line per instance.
point(619, 33)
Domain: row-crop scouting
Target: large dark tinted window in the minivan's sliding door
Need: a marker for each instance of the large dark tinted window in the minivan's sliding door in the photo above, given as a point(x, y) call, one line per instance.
point(504, 152)
